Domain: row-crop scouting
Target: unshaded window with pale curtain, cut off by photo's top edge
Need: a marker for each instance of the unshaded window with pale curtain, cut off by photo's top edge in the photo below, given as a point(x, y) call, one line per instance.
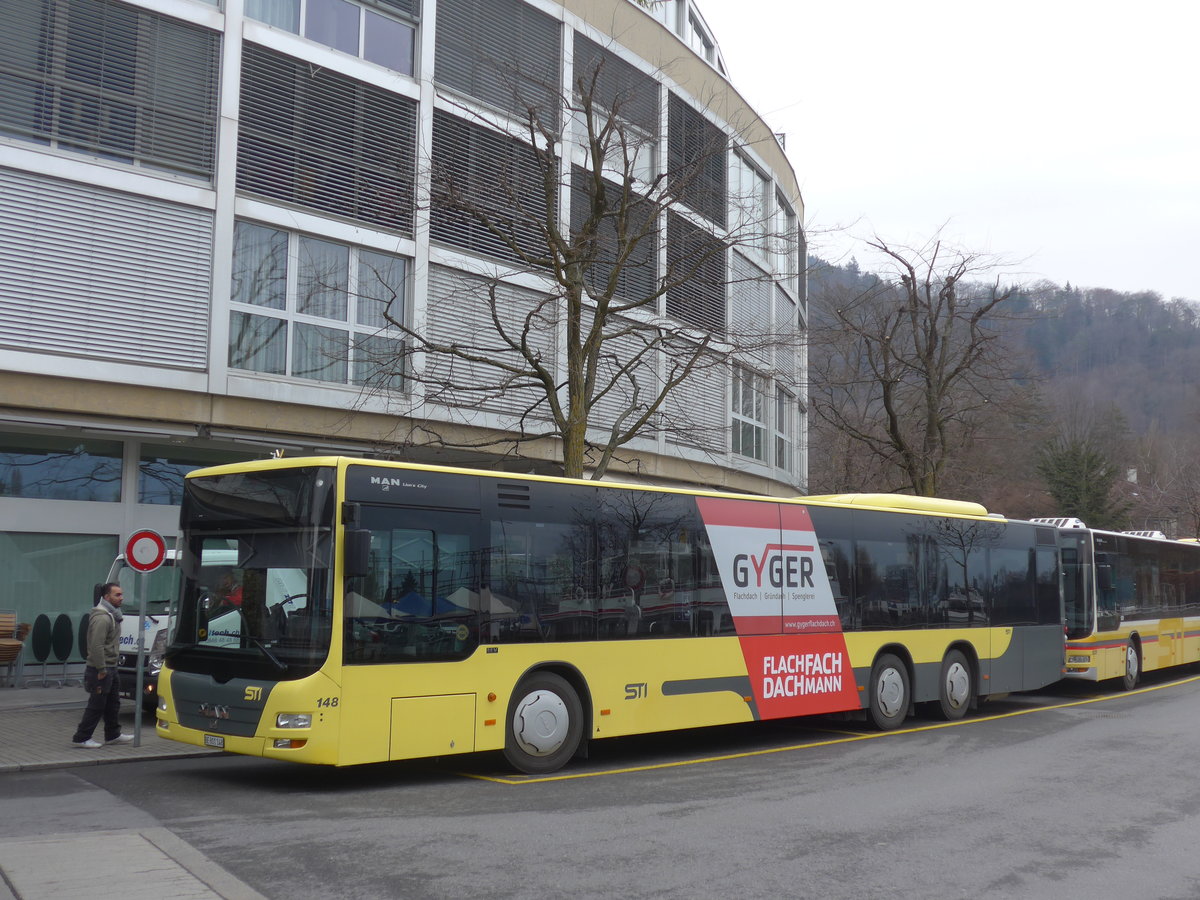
point(383, 32)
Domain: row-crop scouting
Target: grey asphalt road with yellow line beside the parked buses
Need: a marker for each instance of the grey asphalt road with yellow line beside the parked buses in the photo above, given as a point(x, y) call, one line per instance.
point(1041, 796)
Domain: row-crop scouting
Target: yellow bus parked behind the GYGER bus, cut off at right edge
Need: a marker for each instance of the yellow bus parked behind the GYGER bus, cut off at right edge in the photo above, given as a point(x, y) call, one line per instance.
point(1132, 602)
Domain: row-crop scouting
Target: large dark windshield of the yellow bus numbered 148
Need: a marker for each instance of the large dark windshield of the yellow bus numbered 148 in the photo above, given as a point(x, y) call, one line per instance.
point(256, 561)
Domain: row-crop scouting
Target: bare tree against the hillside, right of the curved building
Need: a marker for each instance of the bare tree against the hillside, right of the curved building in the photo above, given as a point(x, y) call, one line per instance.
point(908, 367)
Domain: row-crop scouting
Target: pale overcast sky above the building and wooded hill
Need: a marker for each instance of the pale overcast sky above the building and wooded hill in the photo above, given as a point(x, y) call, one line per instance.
point(1064, 136)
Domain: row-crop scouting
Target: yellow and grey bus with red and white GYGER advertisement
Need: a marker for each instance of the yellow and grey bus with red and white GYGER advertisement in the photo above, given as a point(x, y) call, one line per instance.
point(435, 611)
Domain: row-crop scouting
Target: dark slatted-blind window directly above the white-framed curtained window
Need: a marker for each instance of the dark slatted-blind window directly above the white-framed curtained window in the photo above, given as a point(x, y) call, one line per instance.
point(326, 142)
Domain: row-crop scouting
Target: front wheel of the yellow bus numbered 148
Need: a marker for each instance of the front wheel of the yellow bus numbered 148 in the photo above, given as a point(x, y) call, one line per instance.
point(544, 727)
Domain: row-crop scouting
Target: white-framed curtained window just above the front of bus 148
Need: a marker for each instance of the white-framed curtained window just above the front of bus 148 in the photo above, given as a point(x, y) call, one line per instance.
point(316, 309)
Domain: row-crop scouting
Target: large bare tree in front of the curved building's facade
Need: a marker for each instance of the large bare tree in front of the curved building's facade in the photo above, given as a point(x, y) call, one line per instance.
point(613, 267)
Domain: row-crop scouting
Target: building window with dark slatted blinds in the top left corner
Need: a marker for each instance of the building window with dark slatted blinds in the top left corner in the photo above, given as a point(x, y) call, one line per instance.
point(107, 80)
